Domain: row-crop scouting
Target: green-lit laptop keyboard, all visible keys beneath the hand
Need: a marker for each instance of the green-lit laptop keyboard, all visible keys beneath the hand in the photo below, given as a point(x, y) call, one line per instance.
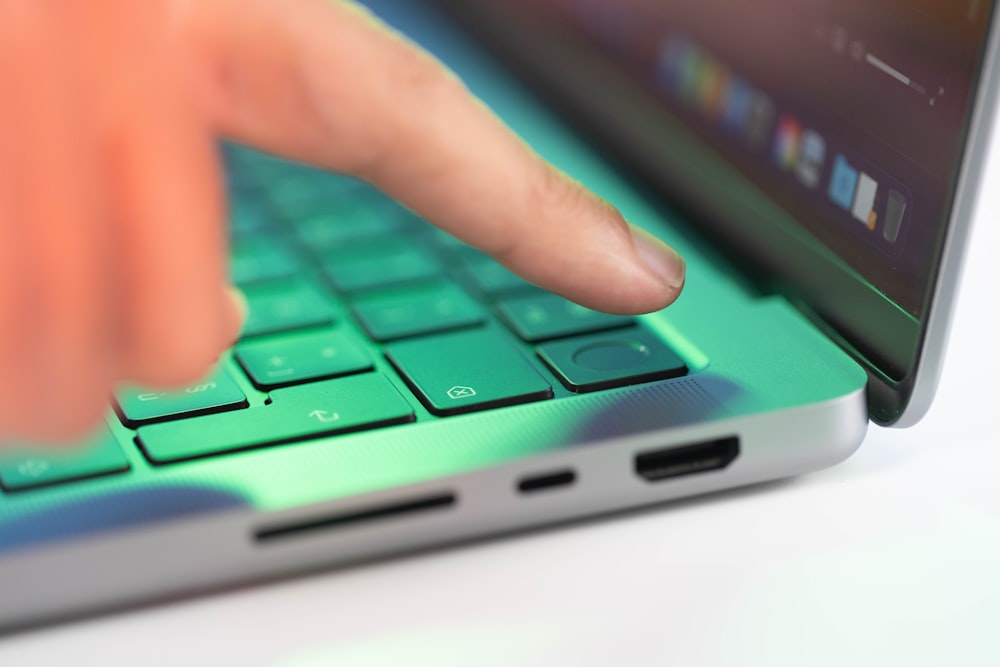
point(362, 316)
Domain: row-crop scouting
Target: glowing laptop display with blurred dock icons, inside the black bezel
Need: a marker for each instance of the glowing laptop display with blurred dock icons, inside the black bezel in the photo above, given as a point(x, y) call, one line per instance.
point(851, 113)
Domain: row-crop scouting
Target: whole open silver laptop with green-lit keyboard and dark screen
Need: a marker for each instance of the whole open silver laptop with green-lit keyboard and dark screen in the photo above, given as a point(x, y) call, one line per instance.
point(394, 390)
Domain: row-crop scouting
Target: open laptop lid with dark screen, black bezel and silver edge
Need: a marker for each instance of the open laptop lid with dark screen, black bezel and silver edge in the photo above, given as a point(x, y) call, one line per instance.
point(833, 148)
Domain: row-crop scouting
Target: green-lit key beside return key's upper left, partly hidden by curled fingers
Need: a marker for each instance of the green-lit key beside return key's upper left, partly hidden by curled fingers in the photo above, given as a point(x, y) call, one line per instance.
point(216, 393)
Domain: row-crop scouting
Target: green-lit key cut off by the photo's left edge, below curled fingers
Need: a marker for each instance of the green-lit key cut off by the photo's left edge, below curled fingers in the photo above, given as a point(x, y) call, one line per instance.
point(25, 467)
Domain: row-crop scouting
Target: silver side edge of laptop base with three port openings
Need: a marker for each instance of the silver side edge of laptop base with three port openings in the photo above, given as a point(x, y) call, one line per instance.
point(231, 547)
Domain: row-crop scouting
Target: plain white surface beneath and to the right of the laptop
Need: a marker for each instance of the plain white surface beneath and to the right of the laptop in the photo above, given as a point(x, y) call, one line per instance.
point(891, 558)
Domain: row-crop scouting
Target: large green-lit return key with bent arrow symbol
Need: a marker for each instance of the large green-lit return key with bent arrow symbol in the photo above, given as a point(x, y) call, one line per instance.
point(294, 414)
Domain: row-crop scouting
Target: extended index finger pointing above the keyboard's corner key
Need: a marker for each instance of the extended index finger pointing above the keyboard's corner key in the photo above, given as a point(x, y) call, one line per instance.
point(324, 82)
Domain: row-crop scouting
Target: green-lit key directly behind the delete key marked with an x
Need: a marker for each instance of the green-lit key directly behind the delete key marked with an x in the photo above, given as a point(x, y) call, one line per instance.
point(416, 310)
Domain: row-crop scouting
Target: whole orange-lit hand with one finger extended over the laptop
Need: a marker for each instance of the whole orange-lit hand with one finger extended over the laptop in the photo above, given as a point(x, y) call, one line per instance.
point(112, 265)
